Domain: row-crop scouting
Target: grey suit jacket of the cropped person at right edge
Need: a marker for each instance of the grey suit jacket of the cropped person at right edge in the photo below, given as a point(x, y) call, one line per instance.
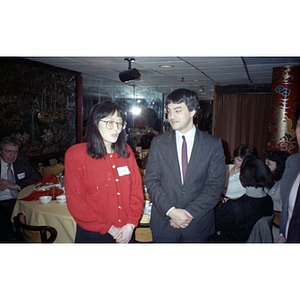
point(290, 174)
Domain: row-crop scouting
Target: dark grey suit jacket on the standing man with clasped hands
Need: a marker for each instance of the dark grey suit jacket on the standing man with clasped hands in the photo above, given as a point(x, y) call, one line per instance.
point(204, 182)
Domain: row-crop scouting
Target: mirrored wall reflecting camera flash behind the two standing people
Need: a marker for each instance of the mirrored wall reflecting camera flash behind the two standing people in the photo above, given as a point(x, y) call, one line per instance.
point(144, 107)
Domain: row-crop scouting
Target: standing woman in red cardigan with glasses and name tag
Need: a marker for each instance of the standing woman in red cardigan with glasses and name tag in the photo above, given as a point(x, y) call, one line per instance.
point(102, 180)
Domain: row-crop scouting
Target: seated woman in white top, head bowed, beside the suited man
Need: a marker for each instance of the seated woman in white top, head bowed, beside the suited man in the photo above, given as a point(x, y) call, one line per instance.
point(233, 188)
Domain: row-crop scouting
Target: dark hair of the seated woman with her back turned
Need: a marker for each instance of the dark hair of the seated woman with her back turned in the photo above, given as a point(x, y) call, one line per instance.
point(254, 172)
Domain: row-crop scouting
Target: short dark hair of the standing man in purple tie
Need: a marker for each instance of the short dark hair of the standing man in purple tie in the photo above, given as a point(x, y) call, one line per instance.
point(189, 97)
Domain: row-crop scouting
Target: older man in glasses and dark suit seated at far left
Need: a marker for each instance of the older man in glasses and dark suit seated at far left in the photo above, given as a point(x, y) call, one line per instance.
point(16, 173)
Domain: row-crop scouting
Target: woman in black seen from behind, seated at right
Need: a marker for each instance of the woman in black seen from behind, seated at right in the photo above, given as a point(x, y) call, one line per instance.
point(236, 218)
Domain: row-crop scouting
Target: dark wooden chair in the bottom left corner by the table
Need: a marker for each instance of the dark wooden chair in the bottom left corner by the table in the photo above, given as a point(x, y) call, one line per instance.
point(33, 234)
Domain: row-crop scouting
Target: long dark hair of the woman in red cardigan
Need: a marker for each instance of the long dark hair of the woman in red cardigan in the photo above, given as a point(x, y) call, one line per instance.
point(95, 146)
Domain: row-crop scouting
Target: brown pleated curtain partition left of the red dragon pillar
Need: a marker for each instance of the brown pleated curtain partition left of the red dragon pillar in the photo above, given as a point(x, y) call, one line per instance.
point(242, 119)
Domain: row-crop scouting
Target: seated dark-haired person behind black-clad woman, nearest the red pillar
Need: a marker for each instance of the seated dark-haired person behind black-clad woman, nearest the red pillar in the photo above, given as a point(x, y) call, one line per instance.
point(275, 160)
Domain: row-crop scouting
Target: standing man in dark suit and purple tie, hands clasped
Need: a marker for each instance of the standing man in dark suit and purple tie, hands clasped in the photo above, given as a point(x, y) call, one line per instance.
point(183, 201)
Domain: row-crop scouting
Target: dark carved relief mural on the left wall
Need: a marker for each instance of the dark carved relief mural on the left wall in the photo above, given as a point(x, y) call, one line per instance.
point(38, 105)
